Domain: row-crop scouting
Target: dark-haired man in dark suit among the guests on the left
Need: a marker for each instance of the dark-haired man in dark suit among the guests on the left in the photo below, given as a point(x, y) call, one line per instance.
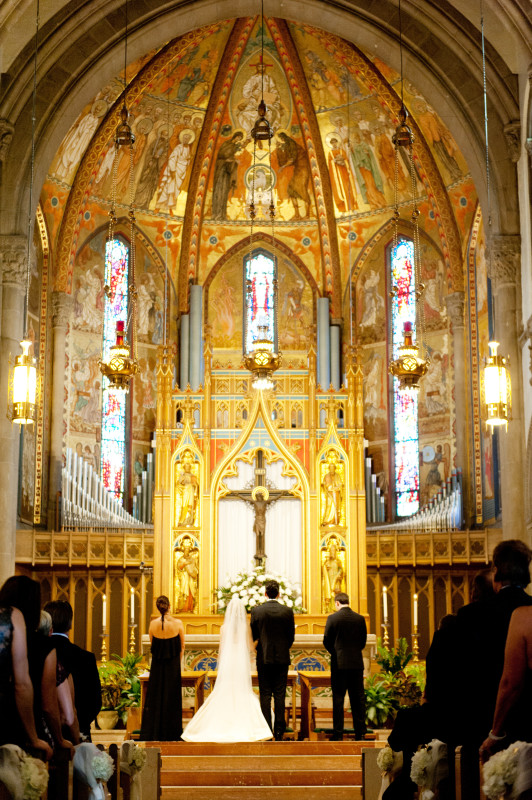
point(79, 663)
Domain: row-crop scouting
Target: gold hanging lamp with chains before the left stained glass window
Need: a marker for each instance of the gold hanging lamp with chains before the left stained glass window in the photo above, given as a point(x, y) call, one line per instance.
point(119, 364)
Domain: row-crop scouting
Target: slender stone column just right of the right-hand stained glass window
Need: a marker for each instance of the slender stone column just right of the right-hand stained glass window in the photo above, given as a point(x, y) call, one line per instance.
point(455, 303)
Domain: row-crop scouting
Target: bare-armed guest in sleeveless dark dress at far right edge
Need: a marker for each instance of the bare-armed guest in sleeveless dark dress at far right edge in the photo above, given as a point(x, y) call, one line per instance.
point(511, 721)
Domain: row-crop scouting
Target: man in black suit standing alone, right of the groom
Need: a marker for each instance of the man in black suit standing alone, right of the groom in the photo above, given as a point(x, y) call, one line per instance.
point(345, 638)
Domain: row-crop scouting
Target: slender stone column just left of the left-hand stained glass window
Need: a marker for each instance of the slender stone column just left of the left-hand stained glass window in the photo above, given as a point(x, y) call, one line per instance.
point(61, 310)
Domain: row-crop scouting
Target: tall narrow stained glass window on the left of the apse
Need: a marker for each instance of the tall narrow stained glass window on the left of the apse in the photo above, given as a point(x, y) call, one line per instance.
point(113, 457)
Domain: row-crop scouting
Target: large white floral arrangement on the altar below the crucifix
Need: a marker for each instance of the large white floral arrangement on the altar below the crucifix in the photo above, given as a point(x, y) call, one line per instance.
point(250, 587)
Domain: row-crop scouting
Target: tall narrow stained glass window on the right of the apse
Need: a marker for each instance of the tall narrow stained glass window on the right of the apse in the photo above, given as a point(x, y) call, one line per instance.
point(405, 408)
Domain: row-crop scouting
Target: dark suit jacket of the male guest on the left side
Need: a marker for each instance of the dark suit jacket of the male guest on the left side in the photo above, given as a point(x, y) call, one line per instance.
point(88, 691)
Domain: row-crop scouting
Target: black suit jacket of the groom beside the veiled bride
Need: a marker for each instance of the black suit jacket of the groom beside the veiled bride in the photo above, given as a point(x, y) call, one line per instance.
point(272, 626)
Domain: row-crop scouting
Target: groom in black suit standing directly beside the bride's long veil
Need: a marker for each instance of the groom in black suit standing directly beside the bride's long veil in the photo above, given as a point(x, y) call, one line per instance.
point(273, 631)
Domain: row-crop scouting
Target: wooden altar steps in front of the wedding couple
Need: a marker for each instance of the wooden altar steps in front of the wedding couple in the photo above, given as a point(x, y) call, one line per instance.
point(262, 770)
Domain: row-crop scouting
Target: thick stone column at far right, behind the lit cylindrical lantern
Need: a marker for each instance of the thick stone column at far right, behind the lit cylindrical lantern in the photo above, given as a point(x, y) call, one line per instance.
point(505, 270)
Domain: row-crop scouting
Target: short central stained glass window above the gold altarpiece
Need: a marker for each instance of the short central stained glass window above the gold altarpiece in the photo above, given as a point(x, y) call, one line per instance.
point(260, 277)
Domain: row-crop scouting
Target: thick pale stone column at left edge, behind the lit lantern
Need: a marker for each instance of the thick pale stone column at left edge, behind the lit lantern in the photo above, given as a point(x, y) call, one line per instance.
point(13, 252)
